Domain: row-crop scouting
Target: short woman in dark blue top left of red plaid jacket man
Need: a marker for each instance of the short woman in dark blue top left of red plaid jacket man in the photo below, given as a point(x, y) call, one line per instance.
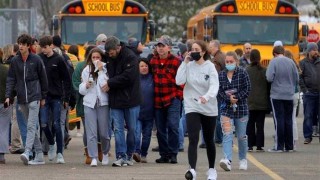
point(146, 114)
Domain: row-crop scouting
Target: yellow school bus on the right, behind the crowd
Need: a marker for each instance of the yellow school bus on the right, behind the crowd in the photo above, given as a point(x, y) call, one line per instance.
point(259, 22)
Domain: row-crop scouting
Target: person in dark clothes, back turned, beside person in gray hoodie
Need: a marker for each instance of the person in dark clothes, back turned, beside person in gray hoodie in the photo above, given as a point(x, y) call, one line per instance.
point(257, 102)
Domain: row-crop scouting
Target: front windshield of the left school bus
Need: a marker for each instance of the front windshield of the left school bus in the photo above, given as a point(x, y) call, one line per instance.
point(79, 30)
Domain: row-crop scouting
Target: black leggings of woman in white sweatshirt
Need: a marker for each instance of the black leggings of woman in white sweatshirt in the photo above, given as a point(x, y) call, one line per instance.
point(194, 123)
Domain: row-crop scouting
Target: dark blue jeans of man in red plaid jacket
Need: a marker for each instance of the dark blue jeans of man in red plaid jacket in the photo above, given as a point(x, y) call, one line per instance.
point(167, 121)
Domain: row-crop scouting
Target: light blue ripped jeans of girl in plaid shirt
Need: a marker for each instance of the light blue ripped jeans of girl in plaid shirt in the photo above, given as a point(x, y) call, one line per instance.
point(240, 127)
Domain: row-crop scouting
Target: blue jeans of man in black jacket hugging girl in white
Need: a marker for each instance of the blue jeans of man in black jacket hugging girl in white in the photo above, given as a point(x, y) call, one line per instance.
point(120, 117)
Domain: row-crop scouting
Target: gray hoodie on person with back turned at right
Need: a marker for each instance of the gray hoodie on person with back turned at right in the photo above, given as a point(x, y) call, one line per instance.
point(283, 75)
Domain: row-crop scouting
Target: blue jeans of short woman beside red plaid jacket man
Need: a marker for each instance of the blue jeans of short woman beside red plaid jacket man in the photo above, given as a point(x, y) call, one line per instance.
point(144, 127)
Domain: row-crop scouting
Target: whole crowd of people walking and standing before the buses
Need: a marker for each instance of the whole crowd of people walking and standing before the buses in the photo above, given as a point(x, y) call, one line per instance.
point(203, 92)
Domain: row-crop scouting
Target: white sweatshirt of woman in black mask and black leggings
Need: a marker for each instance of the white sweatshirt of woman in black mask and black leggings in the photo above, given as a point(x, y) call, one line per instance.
point(200, 80)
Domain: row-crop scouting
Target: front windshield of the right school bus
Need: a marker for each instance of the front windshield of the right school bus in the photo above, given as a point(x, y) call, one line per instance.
point(257, 30)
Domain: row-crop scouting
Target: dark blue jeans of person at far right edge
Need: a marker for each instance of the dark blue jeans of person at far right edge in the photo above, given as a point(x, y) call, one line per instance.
point(310, 111)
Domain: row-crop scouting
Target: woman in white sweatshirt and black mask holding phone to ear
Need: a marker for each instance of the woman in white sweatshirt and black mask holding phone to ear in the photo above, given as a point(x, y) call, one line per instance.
point(200, 78)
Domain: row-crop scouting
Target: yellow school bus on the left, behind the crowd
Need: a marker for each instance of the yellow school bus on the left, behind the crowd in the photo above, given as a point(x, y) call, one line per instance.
point(80, 21)
